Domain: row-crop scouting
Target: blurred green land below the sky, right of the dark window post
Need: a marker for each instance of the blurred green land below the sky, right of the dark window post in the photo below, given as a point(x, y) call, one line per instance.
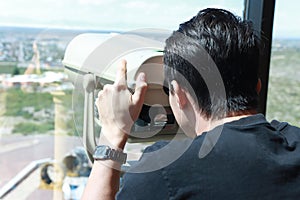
point(283, 101)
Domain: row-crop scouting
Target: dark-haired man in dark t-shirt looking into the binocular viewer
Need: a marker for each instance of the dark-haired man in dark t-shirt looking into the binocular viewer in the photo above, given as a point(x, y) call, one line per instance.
point(245, 157)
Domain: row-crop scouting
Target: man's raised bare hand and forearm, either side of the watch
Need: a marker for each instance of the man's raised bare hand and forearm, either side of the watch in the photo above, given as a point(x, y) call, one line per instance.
point(118, 109)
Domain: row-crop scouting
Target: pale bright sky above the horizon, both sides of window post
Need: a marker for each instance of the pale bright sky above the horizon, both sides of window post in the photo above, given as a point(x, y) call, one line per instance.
point(132, 14)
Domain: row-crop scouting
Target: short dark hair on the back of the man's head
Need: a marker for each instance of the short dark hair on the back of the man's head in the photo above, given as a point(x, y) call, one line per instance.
point(233, 46)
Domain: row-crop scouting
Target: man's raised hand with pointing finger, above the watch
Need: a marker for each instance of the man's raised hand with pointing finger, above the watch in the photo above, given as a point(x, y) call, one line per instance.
point(118, 108)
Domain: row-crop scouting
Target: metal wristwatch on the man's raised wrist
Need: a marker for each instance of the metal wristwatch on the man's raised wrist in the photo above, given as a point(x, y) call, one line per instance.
point(104, 152)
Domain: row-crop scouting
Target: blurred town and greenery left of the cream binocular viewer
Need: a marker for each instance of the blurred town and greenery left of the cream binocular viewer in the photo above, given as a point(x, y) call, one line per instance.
point(31, 73)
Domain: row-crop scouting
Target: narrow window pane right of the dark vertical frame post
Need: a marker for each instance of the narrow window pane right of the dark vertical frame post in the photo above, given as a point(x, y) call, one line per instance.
point(283, 101)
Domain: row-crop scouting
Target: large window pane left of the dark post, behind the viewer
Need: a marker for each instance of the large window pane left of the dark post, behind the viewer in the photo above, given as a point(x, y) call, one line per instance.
point(40, 145)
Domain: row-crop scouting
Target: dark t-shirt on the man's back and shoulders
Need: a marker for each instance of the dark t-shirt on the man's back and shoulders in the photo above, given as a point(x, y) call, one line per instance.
point(245, 159)
